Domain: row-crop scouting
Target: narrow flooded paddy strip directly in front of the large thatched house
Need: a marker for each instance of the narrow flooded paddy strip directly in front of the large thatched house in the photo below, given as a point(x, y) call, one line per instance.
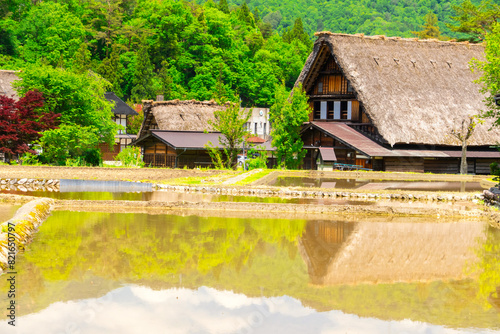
point(366, 184)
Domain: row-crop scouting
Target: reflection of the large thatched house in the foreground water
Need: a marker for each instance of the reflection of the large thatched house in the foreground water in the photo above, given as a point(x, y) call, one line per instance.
point(386, 252)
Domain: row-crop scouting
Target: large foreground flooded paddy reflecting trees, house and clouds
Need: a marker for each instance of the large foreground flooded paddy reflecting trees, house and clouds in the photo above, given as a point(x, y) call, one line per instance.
point(134, 273)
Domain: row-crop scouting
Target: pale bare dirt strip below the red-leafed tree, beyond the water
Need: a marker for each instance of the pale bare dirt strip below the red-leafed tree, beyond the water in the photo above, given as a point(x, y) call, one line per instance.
point(101, 173)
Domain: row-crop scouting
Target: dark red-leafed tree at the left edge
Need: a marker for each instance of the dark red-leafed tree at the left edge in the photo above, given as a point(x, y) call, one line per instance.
point(21, 122)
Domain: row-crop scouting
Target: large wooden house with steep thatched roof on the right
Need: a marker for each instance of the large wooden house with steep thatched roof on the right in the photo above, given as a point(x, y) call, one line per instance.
point(389, 98)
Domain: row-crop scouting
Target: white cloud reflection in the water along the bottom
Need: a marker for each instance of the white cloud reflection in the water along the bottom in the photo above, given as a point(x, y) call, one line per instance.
point(142, 310)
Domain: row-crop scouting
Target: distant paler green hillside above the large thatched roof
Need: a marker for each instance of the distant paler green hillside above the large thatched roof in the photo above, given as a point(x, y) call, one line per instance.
point(370, 17)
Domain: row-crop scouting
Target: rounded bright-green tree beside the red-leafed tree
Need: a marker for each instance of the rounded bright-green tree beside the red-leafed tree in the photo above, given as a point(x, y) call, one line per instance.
point(86, 115)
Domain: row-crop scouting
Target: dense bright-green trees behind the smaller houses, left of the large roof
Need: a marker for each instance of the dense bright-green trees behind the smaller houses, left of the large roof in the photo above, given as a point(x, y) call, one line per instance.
point(144, 48)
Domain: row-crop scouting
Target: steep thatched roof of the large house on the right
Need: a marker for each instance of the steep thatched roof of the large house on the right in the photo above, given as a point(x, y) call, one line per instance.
point(414, 91)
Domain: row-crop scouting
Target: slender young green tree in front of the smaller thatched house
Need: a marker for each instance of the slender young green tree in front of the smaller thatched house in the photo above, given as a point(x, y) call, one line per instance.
point(231, 123)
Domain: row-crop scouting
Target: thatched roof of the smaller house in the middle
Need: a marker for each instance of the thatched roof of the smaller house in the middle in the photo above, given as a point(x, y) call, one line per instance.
point(178, 115)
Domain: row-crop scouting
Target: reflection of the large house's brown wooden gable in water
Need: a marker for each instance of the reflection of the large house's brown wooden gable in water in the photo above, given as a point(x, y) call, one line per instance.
point(320, 243)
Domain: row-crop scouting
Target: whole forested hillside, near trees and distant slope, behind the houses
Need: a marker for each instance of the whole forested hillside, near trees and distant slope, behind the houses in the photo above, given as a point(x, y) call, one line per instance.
point(190, 50)
